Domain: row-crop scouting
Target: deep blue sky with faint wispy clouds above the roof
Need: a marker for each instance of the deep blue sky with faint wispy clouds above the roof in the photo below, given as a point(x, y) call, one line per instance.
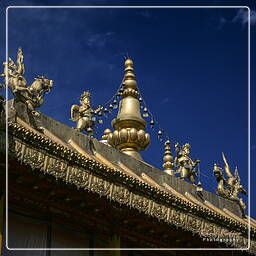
point(191, 67)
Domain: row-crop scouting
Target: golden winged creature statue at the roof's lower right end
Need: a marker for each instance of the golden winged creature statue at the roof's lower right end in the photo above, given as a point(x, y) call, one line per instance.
point(229, 188)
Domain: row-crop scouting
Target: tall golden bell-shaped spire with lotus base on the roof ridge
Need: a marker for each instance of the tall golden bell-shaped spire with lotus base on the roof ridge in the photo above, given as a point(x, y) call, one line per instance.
point(129, 135)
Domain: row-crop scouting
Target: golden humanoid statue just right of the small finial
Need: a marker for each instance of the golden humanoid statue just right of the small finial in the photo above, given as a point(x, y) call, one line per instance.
point(186, 166)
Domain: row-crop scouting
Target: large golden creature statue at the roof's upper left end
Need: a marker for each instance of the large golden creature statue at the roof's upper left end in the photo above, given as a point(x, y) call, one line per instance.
point(32, 96)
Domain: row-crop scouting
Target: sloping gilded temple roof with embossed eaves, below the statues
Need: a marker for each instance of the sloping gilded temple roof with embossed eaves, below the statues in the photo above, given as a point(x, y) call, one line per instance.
point(80, 160)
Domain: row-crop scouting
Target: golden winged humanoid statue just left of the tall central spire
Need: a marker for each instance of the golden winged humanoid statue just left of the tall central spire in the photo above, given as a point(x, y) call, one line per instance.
point(83, 114)
